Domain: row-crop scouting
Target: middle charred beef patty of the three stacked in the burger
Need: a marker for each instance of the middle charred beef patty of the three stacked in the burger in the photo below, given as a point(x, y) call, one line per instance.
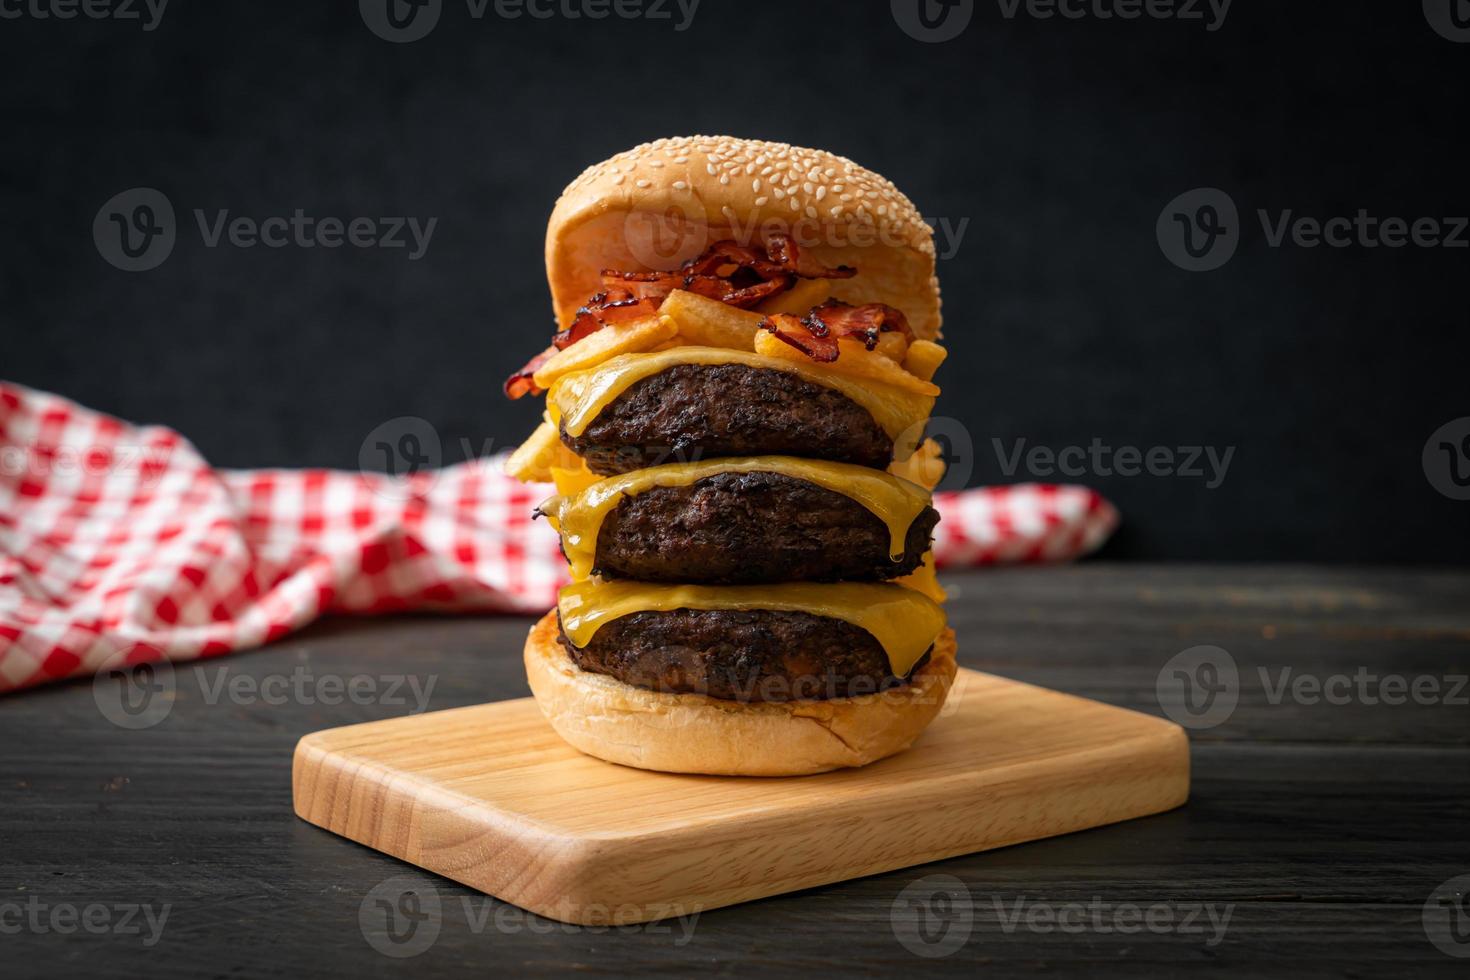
point(750, 528)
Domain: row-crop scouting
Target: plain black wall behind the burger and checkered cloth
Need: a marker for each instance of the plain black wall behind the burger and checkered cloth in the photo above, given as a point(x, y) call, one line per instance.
point(1059, 140)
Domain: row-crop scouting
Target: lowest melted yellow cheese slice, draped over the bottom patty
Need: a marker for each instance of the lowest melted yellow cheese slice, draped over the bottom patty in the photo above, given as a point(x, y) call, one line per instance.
point(903, 622)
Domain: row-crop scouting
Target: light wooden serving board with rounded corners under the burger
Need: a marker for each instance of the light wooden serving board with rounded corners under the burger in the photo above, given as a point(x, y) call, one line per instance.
point(492, 797)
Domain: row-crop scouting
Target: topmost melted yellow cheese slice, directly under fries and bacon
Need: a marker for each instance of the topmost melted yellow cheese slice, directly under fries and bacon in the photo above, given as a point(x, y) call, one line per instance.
point(577, 399)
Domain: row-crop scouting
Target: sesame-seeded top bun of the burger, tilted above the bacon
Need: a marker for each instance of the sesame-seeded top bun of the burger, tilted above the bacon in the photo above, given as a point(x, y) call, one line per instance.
point(665, 202)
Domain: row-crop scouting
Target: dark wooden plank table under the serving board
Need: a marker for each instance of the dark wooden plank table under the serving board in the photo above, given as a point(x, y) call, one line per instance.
point(1321, 828)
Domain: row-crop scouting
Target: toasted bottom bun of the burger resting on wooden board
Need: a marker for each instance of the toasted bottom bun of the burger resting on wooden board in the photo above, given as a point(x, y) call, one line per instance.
point(695, 734)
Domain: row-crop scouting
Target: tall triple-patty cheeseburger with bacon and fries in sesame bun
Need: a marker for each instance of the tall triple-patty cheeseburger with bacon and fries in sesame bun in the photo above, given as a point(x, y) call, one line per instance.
point(736, 402)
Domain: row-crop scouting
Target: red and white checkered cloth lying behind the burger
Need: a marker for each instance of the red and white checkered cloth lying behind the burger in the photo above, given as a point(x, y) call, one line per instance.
point(121, 544)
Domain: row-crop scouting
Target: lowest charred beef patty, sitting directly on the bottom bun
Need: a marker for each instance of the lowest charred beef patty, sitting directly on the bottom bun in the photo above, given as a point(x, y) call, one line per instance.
point(739, 656)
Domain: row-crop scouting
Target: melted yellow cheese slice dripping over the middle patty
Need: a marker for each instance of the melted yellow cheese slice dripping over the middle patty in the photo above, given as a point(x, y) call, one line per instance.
point(580, 519)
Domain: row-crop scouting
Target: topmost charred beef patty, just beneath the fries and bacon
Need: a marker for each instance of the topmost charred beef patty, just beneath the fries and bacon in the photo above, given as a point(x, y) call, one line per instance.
point(693, 412)
